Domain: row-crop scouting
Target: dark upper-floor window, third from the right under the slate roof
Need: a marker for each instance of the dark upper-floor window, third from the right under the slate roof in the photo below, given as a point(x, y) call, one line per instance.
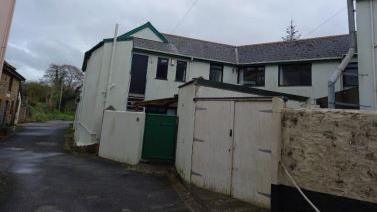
point(253, 76)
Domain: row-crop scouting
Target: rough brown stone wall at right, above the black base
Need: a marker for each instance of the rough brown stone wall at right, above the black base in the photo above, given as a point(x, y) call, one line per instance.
point(333, 152)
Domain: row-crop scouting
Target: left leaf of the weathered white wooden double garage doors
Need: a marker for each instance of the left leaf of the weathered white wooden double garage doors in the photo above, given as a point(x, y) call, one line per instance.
point(211, 158)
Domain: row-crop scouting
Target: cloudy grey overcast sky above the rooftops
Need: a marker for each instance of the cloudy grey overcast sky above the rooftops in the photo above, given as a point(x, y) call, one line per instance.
point(60, 31)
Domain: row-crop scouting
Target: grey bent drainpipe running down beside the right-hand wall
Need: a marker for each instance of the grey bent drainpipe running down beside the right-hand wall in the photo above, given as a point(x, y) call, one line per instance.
point(351, 52)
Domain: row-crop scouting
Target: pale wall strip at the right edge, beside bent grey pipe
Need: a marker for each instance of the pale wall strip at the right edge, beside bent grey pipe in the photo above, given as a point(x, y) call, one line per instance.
point(367, 35)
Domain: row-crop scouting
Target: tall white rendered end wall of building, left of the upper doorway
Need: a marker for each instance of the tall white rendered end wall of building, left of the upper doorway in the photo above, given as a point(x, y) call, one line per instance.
point(92, 103)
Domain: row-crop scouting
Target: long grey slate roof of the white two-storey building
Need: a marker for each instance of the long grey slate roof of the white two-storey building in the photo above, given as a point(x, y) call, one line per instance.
point(331, 47)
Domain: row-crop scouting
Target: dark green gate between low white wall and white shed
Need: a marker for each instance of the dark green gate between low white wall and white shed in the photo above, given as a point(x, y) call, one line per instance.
point(159, 137)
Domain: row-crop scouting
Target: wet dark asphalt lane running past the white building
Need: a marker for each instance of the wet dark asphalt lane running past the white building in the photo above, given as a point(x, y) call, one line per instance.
point(44, 178)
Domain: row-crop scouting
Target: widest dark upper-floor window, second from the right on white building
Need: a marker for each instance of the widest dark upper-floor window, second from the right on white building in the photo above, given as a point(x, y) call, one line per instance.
point(295, 74)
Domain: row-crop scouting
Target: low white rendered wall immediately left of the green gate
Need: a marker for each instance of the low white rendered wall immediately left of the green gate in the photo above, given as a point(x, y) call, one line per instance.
point(122, 136)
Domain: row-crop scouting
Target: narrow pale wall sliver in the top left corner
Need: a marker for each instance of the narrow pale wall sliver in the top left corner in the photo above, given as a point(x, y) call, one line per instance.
point(6, 14)
